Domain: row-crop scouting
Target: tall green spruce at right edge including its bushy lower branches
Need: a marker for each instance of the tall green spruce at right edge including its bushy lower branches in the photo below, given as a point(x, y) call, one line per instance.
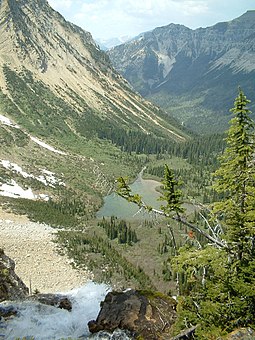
point(226, 299)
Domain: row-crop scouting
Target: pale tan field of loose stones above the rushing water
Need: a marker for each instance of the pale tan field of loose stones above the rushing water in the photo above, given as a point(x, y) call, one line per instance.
point(38, 261)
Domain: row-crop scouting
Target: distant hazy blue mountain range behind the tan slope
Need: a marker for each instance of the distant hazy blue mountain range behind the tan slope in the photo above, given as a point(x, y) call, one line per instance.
point(194, 74)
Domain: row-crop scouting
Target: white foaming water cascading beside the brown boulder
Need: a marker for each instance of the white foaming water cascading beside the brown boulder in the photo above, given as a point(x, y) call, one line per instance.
point(41, 322)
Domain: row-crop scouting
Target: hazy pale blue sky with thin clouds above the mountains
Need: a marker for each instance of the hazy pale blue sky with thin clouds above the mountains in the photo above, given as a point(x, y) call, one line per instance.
point(115, 18)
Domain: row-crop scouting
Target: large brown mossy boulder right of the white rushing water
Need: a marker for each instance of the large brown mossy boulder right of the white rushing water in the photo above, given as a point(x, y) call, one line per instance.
point(145, 314)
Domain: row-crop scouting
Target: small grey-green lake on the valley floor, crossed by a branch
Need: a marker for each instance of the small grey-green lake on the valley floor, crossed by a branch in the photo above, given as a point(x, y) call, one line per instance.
point(114, 205)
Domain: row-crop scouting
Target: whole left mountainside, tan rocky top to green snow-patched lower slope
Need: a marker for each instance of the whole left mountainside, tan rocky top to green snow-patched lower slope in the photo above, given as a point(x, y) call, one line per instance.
point(65, 113)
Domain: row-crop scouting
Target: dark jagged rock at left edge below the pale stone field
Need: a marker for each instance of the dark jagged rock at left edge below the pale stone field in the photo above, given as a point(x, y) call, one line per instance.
point(11, 287)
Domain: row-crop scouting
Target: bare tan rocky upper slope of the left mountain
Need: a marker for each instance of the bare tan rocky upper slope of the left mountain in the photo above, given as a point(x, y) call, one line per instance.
point(38, 46)
